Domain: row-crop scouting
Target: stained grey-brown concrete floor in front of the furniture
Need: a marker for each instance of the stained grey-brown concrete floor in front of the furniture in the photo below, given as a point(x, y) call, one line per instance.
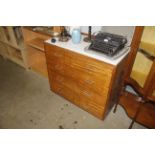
point(27, 102)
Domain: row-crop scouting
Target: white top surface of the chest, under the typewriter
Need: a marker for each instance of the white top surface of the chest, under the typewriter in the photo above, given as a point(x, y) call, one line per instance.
point(82, 48)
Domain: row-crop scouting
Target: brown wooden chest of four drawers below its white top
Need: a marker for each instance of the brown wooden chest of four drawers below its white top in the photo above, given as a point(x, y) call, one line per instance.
point(88, 83)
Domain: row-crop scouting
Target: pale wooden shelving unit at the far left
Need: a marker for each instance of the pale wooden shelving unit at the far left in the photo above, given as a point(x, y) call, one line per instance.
point(11, 44)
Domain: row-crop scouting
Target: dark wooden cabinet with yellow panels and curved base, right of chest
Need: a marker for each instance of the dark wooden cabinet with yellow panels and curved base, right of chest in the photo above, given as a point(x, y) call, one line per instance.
point(140, 74)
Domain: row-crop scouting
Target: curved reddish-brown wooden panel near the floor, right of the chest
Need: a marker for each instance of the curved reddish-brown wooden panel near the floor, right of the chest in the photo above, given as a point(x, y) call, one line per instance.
point(146, 115)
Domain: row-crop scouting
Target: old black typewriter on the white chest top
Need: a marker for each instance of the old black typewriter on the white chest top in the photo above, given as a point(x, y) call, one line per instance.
point(108, 43)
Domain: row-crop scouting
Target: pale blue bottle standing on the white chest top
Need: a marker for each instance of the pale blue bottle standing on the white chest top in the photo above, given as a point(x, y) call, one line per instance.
point(76, 36)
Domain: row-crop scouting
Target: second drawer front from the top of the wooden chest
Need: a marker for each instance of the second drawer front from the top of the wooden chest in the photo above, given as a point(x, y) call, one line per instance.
point(99, 84)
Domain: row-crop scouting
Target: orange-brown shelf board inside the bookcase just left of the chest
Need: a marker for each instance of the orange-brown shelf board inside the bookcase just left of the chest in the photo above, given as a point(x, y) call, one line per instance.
point(37, 43)
